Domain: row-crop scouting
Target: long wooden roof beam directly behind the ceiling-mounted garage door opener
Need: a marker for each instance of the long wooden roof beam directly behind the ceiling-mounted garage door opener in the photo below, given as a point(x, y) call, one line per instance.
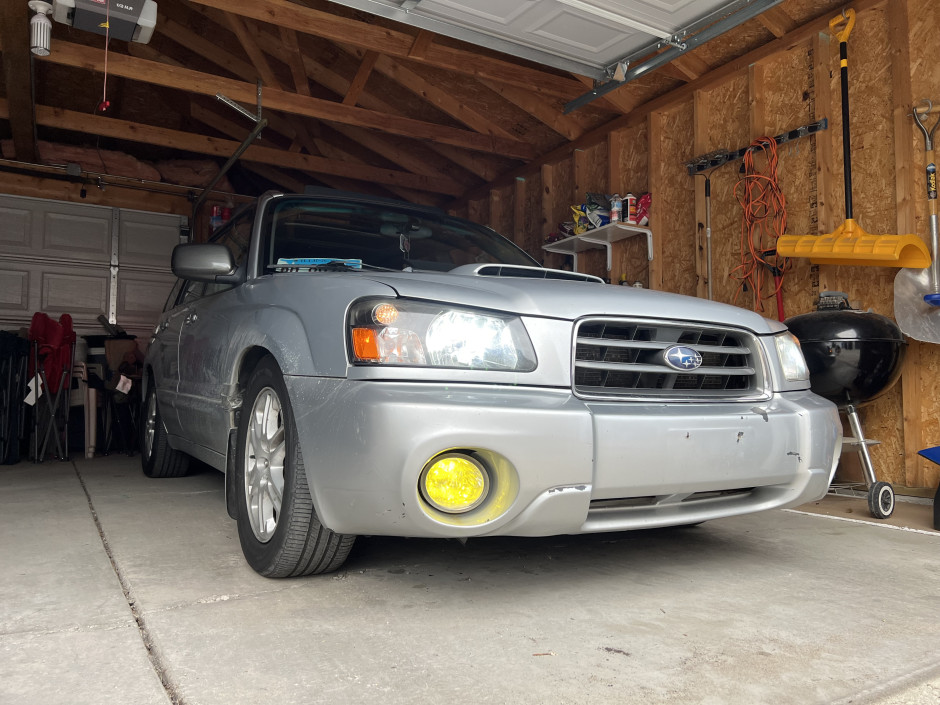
point(68, 54)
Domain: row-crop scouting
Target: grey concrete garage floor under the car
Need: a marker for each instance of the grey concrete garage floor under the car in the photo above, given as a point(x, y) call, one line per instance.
point(781, 607)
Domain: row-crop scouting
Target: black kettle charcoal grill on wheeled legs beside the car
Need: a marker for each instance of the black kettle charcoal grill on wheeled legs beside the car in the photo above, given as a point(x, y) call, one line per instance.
point(853, 357)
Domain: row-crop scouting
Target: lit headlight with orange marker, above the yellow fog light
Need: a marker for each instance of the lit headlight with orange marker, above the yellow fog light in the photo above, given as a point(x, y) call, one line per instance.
point(422, 334)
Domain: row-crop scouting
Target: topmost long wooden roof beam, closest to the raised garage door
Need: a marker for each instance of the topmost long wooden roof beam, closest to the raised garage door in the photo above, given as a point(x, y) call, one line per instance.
point(284, 13)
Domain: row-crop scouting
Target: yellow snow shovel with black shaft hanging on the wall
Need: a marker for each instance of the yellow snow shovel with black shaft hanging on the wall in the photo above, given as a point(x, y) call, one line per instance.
point(849, 243)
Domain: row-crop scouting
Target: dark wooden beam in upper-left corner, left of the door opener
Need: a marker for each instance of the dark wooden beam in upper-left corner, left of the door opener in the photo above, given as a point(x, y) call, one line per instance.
point(17, 72)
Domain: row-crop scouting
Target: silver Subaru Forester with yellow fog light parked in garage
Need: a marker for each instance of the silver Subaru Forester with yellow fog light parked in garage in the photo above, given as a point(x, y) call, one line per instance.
point(357, 366)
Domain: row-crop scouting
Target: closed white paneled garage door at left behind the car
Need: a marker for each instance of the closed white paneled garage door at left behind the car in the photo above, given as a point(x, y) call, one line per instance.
point(84, 260)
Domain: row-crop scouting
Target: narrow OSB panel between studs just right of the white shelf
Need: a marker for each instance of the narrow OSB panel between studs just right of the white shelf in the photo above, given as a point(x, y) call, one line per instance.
point(677, 201)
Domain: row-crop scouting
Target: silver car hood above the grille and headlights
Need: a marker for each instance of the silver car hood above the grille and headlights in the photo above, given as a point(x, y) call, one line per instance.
point(568, 300)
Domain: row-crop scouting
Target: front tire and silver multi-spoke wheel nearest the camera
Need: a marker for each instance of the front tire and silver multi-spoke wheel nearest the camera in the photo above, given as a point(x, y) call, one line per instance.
point(280, 533)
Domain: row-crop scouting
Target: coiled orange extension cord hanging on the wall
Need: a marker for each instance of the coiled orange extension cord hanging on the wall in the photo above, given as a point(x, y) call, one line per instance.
point(765, 219)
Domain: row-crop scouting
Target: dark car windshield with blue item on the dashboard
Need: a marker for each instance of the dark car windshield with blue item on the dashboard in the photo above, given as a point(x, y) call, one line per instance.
point(380, 235)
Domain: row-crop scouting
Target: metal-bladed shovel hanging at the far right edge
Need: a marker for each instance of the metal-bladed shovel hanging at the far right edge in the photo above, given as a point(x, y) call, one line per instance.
point(917, 291)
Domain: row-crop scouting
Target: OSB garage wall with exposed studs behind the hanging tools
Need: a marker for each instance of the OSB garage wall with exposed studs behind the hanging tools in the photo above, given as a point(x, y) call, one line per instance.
point(892, 64)
